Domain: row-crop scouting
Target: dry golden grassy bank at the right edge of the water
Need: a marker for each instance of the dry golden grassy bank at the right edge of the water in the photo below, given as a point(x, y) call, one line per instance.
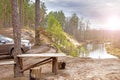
point(111, 50)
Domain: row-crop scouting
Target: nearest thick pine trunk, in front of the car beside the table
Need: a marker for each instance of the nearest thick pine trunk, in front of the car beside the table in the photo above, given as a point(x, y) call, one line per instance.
point(17, 38)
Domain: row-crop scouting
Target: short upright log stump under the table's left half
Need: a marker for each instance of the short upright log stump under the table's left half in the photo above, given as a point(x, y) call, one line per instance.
point(35, 73)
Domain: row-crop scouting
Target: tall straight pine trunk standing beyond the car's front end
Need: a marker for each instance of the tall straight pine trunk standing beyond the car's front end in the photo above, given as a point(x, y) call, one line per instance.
point(37, 22)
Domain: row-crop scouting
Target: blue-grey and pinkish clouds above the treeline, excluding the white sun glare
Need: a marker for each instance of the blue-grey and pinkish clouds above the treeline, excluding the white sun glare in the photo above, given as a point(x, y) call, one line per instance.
point(97, 10)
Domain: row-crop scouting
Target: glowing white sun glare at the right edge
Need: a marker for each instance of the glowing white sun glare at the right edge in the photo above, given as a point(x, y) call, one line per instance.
point(113, 23)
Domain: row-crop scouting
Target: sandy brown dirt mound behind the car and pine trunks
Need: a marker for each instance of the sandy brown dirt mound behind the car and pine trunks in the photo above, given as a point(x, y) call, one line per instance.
point(28, 34)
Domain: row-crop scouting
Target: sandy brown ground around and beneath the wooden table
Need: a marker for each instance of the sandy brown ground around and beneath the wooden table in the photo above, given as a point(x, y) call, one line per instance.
point(76, 69)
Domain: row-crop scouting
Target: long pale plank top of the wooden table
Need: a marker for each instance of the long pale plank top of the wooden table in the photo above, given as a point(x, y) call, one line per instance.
point(42, 55)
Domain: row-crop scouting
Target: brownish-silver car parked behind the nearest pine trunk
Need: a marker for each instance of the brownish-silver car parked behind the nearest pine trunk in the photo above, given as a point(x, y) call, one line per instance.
point(7, 45)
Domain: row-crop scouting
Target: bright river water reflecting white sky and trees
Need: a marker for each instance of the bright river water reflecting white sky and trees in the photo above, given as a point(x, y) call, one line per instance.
point(95, 51)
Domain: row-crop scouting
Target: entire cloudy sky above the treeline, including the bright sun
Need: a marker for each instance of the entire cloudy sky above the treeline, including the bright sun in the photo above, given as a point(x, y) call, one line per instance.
point(103, 14)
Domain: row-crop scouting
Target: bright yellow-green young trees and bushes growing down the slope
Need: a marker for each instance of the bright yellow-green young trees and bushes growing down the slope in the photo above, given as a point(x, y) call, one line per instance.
point(59, 38)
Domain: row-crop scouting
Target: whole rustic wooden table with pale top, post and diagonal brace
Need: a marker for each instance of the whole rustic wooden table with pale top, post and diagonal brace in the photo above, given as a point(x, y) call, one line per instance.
point(50, 57)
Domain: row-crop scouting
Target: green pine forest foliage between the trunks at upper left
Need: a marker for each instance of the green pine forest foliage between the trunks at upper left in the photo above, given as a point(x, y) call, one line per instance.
point(28, 13)
